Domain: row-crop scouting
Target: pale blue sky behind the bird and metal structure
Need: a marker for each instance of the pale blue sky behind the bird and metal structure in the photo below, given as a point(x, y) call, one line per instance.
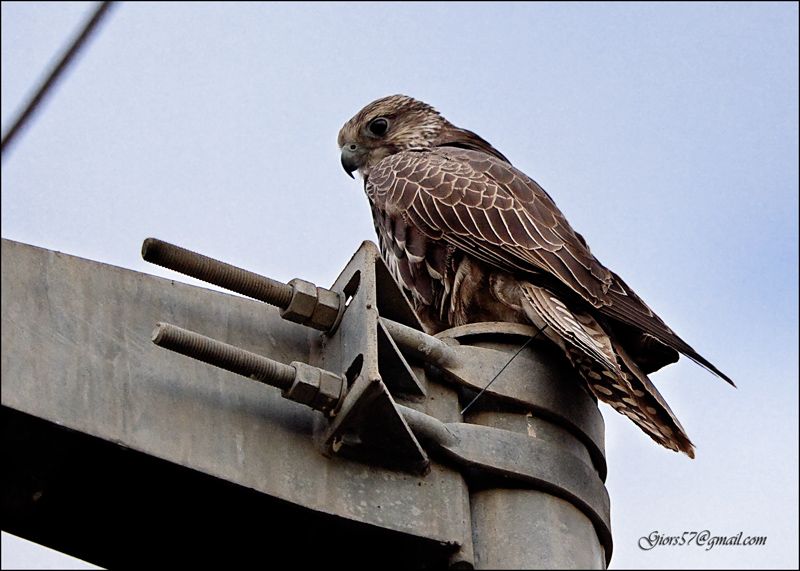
point(666, 133)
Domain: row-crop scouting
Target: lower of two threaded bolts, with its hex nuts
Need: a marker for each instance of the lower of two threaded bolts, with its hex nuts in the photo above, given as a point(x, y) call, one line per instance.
point(311, 386)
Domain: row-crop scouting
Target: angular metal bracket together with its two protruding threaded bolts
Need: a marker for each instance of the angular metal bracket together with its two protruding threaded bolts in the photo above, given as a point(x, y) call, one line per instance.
point(352, 357)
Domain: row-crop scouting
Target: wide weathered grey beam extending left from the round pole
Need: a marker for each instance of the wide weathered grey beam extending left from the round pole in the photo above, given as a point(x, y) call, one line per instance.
point(76, 353)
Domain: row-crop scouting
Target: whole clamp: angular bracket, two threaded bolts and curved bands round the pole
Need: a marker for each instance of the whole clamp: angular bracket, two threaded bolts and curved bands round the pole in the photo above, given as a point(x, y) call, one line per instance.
point(363, 366)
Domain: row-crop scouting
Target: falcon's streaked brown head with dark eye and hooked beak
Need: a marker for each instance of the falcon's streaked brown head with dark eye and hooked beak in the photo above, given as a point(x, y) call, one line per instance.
point(385, 127)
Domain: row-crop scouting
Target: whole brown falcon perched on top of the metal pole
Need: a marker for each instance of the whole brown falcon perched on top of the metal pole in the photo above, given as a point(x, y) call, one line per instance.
point(470, 238)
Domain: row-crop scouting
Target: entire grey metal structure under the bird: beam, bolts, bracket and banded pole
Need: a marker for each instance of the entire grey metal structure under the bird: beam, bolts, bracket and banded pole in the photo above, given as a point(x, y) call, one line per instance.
point(331, 417)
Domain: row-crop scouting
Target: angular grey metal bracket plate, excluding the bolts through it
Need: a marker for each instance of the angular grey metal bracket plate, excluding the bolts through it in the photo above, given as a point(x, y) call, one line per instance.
point(368, 425)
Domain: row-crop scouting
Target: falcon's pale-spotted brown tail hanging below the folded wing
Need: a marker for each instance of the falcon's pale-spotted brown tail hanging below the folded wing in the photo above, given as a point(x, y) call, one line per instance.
point(611, 374)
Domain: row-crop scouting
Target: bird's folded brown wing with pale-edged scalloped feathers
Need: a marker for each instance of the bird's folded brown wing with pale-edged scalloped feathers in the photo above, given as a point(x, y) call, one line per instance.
point(497, 214)
